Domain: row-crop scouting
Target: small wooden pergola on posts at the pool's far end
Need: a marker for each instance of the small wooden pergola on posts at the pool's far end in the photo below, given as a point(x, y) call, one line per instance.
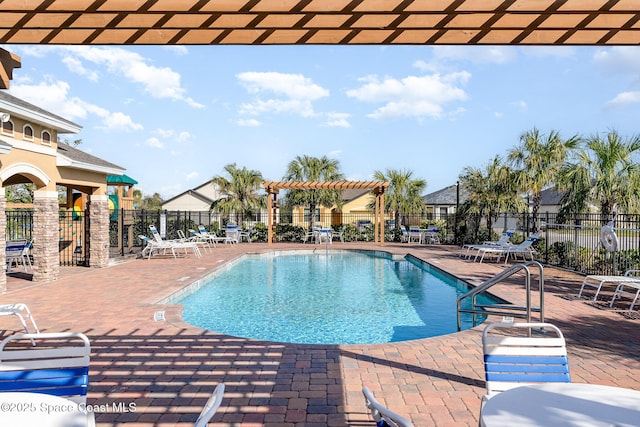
point(273, 187)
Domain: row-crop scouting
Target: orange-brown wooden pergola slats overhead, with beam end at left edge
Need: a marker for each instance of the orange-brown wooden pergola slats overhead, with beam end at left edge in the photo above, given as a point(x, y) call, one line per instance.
point(318, 22)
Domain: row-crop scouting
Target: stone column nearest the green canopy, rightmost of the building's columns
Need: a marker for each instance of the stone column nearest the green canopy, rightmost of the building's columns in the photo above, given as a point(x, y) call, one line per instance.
point(98, 229)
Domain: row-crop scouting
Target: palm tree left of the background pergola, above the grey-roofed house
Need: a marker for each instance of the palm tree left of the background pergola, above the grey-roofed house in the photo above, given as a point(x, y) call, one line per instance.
point(240, 192)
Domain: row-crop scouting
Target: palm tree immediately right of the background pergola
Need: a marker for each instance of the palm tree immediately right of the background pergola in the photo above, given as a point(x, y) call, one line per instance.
point(404, 193)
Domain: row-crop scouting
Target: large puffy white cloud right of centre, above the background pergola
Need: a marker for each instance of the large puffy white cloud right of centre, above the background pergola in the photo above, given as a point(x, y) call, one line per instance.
point(413, 96)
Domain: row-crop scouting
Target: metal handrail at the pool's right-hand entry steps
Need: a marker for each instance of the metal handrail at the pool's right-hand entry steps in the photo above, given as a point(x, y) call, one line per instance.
point(506, 309)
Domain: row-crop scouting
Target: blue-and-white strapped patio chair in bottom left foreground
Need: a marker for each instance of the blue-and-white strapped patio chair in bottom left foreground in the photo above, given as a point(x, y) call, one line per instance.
point(58, 366)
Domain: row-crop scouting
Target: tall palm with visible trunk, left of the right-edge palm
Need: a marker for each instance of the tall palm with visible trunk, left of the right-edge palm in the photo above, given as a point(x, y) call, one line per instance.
point(538, 160)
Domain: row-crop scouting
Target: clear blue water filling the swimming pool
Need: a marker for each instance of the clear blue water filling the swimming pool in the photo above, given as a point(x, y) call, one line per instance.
point(328, 298)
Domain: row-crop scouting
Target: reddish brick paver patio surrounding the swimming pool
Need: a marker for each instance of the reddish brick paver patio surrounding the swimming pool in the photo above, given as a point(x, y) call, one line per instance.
point(160, 373)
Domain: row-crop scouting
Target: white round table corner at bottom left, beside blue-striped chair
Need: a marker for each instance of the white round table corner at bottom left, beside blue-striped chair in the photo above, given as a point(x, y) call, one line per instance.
point(42, 410)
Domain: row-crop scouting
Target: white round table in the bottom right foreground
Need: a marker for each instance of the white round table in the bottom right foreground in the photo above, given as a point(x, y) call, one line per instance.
point(563, 405)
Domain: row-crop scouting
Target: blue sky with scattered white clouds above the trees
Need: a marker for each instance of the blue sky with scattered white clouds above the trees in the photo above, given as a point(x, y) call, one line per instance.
point(175, 116)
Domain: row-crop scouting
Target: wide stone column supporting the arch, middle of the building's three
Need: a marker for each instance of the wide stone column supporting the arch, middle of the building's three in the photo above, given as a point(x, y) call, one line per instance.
point(46, 236)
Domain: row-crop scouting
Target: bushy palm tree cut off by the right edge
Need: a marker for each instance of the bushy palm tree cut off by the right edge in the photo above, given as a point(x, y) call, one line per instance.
point(603, 173)
